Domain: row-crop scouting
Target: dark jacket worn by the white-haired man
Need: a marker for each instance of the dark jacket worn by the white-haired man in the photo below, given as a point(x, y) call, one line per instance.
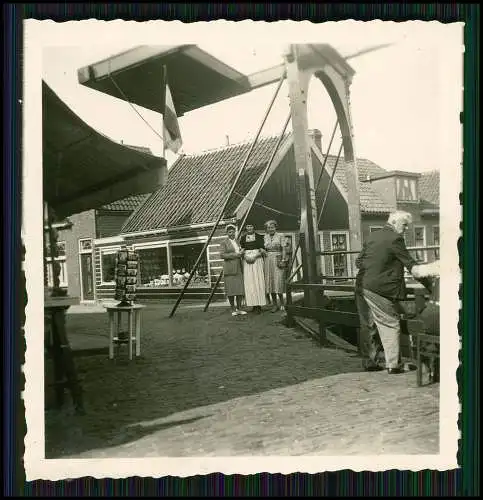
point(381, 264)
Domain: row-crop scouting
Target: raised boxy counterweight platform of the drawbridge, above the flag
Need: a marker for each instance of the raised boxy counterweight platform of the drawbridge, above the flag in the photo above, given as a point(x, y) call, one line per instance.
point(196, 78)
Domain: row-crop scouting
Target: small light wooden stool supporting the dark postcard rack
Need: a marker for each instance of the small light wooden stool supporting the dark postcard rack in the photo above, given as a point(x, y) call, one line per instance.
point(134, 327)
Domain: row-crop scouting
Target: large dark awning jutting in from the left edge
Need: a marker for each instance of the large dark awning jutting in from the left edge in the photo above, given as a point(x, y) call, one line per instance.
point(83, 169)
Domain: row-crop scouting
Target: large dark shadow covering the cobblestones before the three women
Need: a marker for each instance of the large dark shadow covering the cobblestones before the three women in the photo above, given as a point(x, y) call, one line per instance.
point(191, 360)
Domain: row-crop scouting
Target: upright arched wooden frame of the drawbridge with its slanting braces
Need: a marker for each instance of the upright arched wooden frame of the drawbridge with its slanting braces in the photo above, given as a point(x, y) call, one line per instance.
point(301, 64)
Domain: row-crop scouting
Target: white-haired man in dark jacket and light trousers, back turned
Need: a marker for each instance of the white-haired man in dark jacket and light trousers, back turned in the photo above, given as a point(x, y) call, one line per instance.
point(380, 287)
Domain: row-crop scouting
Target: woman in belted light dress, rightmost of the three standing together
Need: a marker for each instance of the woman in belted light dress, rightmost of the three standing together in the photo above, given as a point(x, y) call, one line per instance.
point(275, 265)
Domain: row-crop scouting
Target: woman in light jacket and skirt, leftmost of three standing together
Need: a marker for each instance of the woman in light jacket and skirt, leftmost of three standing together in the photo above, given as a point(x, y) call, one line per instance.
point(231, 253)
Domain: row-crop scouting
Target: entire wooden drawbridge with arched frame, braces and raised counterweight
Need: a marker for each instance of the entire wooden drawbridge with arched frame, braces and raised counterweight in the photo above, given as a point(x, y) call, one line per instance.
point(136, 71)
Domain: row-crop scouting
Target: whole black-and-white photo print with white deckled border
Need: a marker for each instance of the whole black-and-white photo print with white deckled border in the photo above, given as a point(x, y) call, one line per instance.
point(234, 233)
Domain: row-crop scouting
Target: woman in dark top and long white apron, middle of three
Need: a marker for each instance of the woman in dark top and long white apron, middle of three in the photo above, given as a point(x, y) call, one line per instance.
point(253, 272)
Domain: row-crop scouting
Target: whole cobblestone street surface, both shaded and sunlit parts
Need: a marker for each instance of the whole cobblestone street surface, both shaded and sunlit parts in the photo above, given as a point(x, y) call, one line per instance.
point(210, 384)
